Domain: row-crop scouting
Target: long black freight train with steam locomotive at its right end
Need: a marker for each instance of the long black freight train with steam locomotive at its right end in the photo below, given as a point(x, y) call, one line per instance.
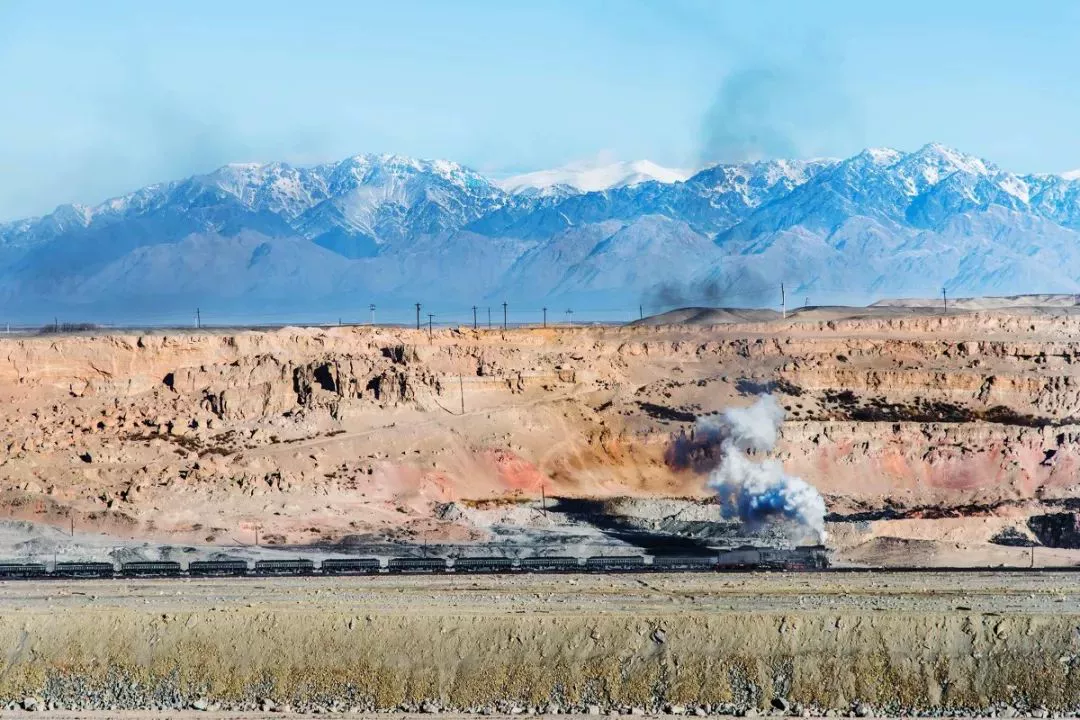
point(747, 559)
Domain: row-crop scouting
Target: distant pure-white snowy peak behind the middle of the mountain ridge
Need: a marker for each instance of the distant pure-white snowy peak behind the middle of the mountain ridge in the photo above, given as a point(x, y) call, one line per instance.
point(592, 178)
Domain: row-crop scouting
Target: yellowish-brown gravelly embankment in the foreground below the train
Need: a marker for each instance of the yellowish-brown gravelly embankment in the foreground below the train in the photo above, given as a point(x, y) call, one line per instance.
point(979, 643)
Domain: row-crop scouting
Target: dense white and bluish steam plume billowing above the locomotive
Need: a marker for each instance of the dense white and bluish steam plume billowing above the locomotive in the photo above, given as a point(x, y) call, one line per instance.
point(759, 492)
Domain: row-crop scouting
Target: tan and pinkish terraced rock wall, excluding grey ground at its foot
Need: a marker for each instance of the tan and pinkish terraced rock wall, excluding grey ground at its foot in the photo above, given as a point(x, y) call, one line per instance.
point(882, 413)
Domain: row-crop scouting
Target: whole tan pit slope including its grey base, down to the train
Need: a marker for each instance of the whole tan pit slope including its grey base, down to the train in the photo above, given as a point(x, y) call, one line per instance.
point(935, 439)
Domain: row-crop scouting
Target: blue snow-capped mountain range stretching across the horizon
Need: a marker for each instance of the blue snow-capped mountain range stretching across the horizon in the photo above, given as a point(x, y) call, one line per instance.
point(262, 239)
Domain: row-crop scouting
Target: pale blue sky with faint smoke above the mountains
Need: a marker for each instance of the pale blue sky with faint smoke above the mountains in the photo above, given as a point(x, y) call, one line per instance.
point(103, 98)
